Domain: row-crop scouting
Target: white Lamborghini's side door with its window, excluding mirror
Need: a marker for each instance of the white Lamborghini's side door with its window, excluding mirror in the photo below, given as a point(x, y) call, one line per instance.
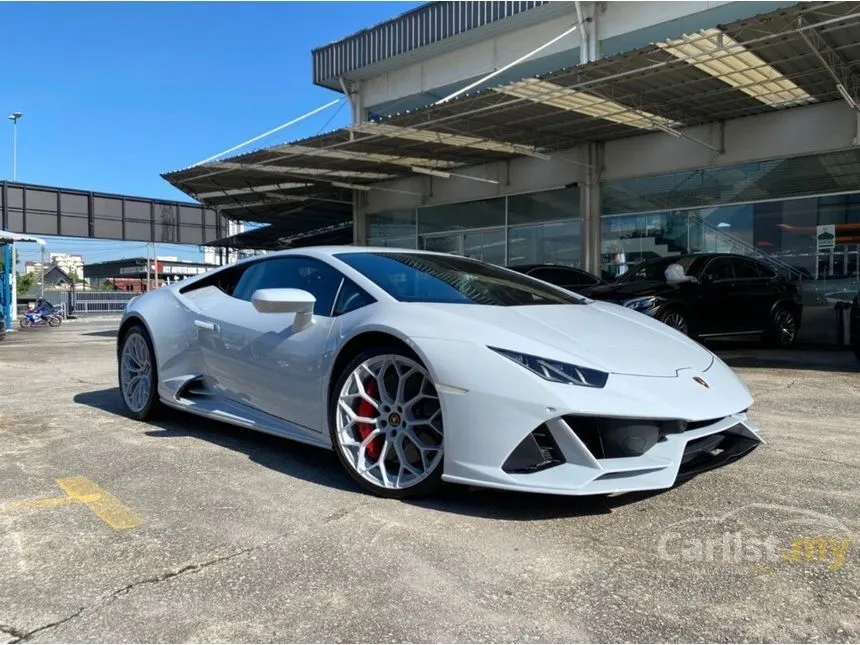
point(263, 363)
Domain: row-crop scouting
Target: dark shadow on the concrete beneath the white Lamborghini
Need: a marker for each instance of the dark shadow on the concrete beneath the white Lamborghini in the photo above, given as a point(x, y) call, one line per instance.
point(320, 466)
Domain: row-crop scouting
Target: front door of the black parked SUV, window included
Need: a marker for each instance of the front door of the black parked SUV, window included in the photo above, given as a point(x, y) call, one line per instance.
point(716, 304)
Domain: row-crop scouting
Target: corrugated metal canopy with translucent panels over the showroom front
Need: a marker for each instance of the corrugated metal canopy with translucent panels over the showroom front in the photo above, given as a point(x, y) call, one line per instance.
point(771, 62)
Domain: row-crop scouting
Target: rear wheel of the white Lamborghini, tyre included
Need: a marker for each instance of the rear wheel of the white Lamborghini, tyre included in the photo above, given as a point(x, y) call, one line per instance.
point(137, 374)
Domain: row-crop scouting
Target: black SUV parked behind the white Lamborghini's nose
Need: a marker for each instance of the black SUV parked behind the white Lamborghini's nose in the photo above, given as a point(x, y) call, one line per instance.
point(711, 294)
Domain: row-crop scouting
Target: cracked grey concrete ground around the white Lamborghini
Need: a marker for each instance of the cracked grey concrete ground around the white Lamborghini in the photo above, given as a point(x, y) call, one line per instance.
point(251, 538)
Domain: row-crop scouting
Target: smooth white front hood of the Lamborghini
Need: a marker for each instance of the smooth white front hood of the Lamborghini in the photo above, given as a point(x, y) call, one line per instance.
point(599, 335)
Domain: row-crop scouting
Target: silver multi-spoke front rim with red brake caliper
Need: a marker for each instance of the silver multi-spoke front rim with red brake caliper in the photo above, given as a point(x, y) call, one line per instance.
point(389, 423)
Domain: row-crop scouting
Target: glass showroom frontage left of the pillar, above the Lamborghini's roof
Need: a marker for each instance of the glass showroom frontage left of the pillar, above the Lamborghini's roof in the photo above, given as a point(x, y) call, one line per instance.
point(520, 229)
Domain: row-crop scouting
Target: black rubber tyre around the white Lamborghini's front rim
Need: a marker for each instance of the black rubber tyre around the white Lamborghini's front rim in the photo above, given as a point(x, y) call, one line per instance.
point(430, 484)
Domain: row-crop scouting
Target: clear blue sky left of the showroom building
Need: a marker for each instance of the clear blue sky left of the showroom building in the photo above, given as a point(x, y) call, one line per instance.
point(113, 94)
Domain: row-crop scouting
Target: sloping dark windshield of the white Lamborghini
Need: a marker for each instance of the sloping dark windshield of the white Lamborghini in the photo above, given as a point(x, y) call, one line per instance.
point(420, 277)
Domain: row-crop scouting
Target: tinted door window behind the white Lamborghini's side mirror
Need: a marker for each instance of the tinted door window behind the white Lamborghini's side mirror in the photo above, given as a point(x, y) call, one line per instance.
point(313, 276)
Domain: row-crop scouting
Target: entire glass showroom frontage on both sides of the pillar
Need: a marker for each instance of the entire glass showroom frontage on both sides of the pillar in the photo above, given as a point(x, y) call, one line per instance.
point(769, 209)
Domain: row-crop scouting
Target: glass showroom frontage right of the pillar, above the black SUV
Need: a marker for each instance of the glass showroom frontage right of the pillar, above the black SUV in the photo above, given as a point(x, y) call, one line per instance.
point(770, 209)
